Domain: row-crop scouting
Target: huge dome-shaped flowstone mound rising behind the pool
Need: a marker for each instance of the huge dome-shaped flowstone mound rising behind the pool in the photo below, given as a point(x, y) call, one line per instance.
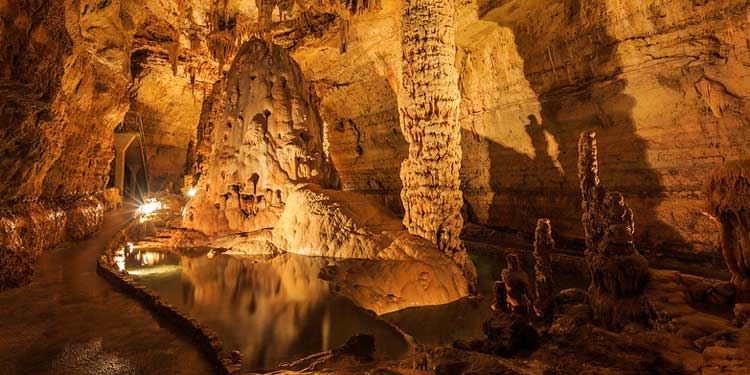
point(266, 139)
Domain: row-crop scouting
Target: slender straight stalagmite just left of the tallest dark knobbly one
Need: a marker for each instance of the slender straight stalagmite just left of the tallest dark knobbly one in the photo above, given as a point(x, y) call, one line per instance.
point(543, 286)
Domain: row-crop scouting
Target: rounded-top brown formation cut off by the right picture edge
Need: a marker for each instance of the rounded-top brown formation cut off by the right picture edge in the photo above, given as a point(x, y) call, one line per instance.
point(728, 196)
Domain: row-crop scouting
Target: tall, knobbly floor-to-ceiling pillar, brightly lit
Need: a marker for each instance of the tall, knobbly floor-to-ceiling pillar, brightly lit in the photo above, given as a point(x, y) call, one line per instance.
point(428, 103)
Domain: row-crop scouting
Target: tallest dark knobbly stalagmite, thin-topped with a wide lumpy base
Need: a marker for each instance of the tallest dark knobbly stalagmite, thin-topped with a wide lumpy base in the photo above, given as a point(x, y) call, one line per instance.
point(618, 271)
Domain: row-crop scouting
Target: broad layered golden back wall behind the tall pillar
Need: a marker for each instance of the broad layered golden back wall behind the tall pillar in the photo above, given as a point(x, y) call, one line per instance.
point(662, 82)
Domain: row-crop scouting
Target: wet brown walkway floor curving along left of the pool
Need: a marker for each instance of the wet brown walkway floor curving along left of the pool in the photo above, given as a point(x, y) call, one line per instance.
point(71, 321)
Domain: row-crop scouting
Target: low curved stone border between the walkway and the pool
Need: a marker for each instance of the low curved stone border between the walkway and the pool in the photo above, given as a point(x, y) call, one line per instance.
point(204, 337)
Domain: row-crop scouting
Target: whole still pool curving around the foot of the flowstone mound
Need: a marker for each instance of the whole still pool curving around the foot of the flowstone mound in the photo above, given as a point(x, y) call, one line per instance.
point(275, 309)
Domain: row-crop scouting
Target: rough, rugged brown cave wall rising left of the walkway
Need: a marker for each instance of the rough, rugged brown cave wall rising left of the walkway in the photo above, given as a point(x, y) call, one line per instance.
point(63, 88)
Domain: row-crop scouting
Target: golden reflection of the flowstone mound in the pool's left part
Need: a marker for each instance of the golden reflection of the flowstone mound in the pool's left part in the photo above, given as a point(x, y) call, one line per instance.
point(272, 309)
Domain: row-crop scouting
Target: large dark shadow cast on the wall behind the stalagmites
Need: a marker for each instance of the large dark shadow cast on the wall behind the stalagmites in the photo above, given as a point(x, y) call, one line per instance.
point(527, 188)
